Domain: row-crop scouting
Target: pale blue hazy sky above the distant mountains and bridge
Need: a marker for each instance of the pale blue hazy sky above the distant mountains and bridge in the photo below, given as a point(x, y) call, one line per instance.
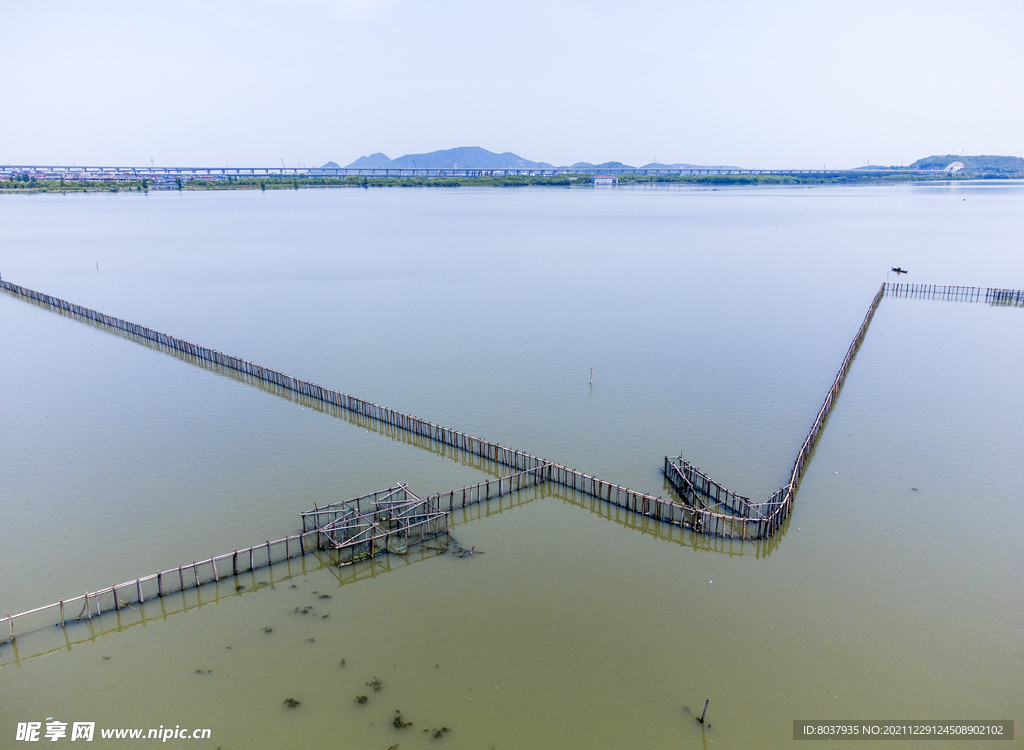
point(740, 82)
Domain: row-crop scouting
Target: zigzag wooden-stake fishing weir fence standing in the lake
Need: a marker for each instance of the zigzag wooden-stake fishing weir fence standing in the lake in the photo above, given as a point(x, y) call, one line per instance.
point(397, 520)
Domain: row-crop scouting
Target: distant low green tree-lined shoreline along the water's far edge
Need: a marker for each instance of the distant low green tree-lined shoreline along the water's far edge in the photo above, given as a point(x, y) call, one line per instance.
point(565, 181)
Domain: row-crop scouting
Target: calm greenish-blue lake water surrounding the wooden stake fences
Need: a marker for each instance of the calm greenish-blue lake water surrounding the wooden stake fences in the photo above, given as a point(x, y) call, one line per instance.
point(714, 321)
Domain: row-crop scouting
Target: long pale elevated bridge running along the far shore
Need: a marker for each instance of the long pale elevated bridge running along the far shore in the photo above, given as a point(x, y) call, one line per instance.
point(170, 175)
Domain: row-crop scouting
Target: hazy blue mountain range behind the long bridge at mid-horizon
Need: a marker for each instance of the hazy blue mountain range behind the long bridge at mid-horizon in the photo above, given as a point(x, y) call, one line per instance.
point(473, 157)
